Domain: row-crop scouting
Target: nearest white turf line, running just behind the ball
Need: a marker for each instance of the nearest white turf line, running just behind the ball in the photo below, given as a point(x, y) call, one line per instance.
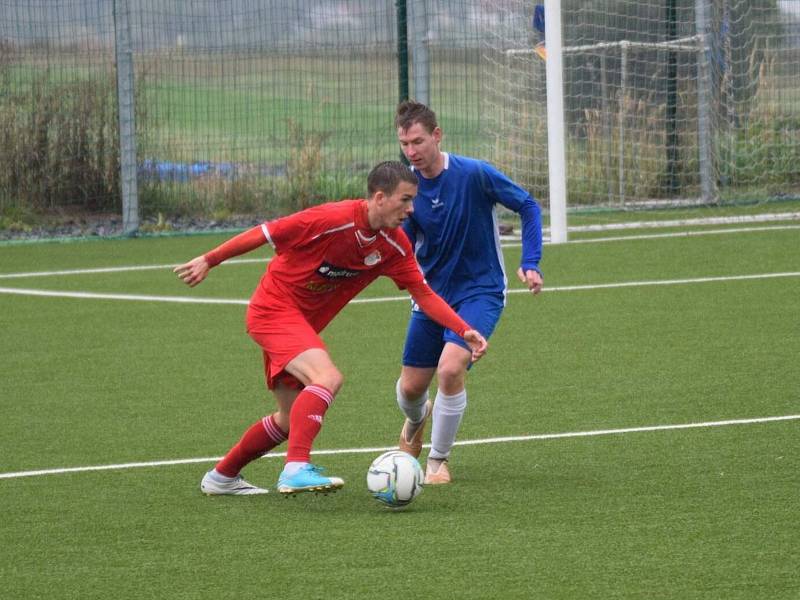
point(496, 440)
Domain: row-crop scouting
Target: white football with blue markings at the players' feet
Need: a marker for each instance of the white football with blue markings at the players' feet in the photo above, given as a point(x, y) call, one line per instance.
point(395, 478)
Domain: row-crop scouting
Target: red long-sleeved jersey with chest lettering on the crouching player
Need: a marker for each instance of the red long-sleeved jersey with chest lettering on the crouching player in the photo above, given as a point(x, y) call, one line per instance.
point(326, 255)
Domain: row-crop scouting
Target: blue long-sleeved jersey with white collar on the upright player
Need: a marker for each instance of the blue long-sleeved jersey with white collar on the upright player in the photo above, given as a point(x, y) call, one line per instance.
point(455, 233)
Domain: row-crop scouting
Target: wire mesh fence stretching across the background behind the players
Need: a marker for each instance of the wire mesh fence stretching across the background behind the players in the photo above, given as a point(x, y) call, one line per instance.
point(269, 105)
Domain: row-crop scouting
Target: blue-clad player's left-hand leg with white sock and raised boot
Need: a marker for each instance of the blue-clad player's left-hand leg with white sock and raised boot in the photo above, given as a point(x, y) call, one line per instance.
point(412, 398)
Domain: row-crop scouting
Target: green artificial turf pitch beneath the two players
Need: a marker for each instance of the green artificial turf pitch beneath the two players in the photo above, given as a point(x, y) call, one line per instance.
point(705, 512)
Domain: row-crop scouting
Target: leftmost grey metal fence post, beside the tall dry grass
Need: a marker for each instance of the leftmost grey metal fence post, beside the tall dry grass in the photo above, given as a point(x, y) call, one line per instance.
point(127, 123)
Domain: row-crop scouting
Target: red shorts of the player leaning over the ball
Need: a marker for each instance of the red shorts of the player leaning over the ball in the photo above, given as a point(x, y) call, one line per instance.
point(282, 332)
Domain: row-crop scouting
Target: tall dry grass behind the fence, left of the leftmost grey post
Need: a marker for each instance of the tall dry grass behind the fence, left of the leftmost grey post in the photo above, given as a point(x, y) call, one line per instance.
point(59, 146)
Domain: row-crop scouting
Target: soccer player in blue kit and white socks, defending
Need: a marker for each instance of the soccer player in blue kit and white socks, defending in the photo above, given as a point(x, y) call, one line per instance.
point(455, 236)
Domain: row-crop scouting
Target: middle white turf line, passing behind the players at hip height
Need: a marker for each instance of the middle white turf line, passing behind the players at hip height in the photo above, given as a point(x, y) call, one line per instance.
point(563, 288)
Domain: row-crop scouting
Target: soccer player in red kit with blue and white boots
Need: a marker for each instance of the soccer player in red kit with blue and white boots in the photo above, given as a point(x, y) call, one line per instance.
point(324, 256)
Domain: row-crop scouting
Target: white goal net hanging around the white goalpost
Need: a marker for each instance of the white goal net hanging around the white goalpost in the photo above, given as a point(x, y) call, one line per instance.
point(665, 101)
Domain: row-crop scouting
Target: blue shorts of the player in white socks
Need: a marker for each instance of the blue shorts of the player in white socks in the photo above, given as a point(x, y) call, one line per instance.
point(425, 338)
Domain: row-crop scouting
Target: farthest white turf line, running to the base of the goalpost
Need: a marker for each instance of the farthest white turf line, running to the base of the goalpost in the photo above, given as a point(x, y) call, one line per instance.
point(508, 242)
